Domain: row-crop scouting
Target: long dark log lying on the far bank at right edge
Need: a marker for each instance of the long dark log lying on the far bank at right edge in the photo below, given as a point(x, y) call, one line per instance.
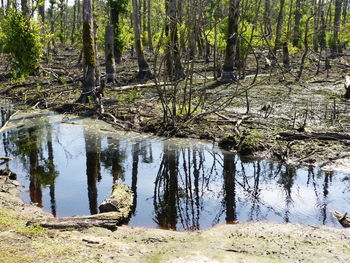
point(328, 136)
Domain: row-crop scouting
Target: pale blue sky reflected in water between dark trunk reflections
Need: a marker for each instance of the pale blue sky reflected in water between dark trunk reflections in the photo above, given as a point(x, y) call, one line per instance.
point(72, 195)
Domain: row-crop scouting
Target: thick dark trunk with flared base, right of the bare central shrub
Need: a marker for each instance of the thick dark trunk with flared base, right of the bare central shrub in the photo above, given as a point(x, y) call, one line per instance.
point(231, 42)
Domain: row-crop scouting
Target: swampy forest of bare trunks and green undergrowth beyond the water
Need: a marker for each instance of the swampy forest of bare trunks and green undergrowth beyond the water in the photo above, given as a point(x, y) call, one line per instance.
point(207, 69)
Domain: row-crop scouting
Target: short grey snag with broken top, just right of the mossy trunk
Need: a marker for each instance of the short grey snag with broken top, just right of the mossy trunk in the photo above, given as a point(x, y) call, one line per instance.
point(109, 53)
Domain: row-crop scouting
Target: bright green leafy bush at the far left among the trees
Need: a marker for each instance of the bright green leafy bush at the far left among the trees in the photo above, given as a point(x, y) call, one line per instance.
point(21, 39)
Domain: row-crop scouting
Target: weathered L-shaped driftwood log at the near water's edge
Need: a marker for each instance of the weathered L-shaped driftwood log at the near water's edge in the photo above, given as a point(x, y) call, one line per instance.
point(115, 211)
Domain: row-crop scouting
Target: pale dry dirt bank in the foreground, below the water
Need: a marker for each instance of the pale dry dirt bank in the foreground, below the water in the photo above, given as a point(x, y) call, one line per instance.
point(248, 242)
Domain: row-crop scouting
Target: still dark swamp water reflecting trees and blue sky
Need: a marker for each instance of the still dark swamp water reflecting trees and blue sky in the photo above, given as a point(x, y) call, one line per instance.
point(68, 165)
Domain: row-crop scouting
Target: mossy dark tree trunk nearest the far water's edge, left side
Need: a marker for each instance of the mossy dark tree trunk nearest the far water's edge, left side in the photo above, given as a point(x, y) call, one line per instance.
point(89, 53)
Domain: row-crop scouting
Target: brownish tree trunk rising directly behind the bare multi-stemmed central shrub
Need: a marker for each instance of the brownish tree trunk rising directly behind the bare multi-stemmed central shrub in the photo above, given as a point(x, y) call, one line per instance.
point(173, 59)
